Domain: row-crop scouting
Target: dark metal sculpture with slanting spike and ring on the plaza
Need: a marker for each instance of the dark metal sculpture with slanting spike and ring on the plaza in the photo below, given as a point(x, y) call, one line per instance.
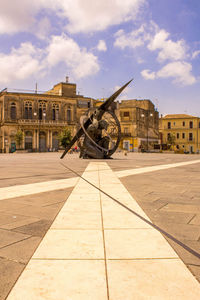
point(100, 132)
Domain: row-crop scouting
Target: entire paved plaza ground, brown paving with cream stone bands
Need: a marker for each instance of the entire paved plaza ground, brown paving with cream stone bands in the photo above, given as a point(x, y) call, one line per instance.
point(61, 238)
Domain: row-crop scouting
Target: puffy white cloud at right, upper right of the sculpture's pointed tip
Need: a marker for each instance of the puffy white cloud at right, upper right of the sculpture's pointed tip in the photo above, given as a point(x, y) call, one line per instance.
point(168, 49)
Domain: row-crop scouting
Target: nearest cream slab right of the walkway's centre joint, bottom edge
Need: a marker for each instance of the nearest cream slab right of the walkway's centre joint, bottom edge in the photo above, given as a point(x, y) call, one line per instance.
point(150, 279)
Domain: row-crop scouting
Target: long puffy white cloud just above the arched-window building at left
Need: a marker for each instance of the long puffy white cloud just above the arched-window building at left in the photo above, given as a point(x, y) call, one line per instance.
point(28, 60)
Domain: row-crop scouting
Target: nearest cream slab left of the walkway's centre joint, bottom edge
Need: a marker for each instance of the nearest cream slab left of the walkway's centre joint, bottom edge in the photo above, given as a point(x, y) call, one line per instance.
point(62, 279)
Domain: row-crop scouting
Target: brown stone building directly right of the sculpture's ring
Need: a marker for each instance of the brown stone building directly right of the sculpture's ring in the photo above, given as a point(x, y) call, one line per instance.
point(140, 125)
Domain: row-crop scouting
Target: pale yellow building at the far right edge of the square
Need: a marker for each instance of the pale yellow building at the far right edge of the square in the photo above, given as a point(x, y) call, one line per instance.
point(182, 130)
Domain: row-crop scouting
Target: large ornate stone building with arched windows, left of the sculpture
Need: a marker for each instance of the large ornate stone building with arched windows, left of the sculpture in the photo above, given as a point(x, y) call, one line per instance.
point(41, 117)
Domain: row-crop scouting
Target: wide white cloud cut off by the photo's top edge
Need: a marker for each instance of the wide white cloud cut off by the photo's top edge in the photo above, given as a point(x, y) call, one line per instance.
point(80, 16)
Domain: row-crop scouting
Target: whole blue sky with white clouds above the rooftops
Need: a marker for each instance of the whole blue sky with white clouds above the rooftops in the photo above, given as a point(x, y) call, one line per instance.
point(102, 44)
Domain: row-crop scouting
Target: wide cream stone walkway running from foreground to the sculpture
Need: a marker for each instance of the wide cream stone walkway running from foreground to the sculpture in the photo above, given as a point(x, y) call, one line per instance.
point(96, 250)
